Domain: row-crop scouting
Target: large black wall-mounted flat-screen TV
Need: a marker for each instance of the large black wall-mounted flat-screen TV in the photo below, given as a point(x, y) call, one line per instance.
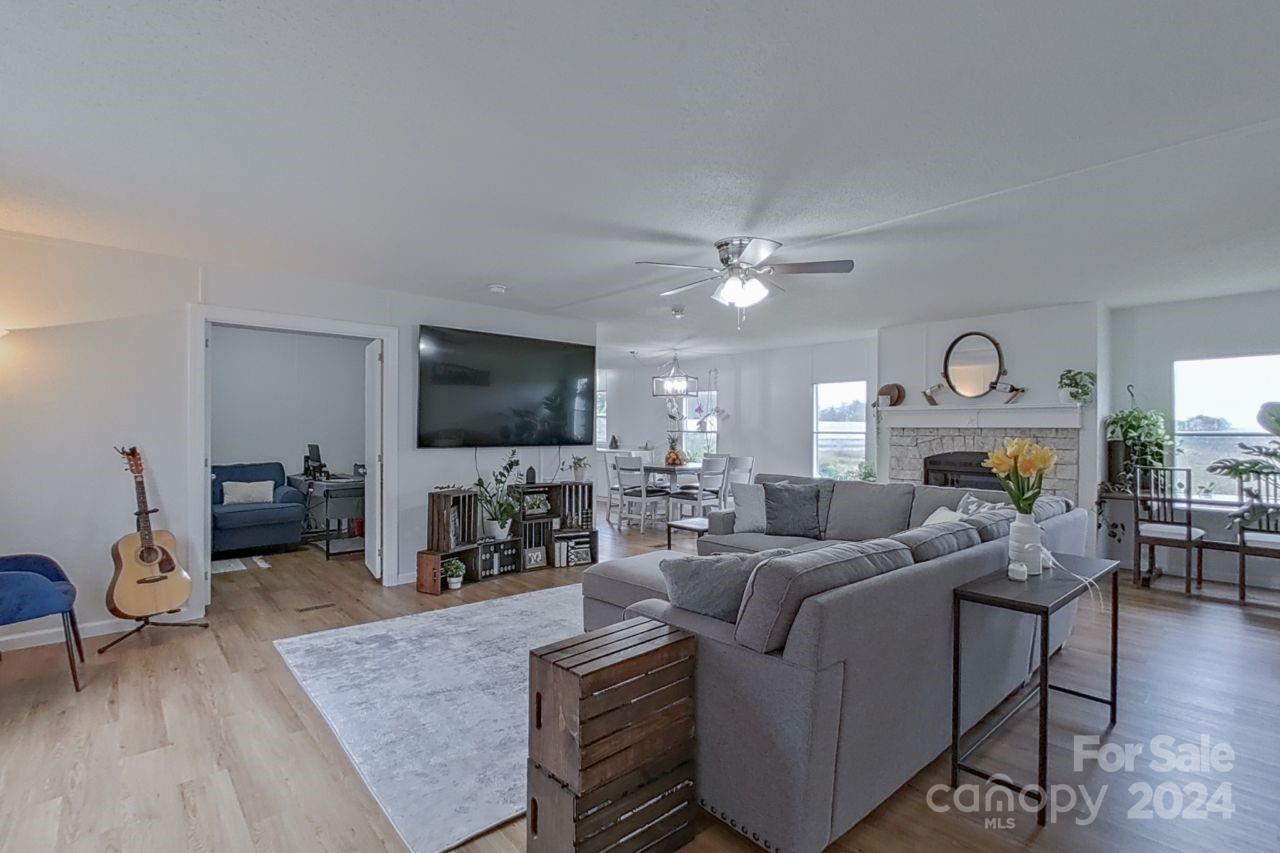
point(482, 390)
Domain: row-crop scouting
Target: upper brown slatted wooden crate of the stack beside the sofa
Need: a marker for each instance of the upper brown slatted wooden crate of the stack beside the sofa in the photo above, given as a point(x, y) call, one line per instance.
point(609, 703)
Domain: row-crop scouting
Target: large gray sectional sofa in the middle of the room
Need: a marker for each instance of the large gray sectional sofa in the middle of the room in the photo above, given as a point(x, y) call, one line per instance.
point(834, 687)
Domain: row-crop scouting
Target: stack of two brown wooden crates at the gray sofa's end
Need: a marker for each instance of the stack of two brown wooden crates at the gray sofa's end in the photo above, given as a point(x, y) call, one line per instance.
point(611, 741)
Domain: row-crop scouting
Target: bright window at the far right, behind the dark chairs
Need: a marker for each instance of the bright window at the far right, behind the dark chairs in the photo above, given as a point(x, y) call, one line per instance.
point(1217, 407)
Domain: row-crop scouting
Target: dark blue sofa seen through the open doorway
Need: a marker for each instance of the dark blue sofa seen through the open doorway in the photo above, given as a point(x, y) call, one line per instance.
point(257, 526)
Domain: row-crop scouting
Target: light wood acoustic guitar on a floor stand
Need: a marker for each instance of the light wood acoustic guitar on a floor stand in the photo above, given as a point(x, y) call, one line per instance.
point(148, 578)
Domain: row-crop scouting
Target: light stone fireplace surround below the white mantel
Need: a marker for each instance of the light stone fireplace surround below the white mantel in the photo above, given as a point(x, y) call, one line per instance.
point(909, 446)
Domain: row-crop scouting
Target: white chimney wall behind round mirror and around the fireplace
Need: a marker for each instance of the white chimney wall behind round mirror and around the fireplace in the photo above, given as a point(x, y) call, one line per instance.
point(1039, 345)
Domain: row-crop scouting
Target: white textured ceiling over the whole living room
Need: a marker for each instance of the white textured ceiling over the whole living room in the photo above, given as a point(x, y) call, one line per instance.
point(971, 157)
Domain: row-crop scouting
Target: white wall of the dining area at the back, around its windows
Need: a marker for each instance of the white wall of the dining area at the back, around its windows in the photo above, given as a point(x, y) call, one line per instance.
point(769, 395)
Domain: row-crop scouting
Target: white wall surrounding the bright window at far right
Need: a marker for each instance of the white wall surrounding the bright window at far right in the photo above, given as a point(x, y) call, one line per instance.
point(1146, 341)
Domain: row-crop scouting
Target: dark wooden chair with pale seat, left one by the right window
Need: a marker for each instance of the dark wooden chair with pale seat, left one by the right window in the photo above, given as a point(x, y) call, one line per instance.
point(1163, 518)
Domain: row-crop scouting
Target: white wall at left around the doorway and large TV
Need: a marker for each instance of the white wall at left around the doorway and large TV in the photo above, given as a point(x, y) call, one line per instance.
point(71, 394)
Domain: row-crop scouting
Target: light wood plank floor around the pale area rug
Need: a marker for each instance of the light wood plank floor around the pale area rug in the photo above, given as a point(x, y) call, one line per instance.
point(190, 740)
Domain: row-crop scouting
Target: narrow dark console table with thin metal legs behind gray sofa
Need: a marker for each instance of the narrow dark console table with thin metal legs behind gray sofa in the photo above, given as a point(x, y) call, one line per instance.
point(1043, 596)
